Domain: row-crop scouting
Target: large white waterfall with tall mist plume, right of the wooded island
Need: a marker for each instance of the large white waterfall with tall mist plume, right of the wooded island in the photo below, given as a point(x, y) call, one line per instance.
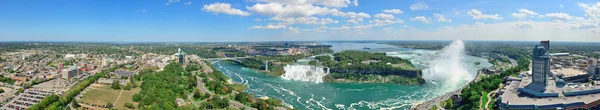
point(448, 66)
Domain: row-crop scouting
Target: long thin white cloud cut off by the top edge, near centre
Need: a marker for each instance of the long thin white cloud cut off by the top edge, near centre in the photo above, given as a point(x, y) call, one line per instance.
point(326, 3)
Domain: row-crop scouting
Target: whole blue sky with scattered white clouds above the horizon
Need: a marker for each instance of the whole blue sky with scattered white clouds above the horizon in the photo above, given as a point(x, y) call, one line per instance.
point(284, 20)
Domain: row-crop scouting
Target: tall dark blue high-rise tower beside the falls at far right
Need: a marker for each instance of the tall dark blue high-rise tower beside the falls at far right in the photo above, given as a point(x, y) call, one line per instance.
point(540, 65)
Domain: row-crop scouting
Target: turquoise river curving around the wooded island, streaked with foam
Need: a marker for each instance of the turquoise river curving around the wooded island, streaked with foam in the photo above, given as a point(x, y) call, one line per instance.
point(442, 77)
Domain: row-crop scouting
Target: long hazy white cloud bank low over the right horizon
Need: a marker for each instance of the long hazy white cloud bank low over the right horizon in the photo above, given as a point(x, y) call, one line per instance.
point(507, 31)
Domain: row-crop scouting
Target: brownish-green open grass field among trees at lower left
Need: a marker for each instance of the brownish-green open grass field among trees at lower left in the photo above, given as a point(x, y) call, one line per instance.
point(100, 94)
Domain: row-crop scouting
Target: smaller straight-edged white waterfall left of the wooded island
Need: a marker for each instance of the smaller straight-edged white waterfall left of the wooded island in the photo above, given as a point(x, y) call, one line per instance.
point(304, 73)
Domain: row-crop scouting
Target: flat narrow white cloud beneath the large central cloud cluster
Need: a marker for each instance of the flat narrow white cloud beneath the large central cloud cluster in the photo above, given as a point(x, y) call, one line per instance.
point(304, 20)
